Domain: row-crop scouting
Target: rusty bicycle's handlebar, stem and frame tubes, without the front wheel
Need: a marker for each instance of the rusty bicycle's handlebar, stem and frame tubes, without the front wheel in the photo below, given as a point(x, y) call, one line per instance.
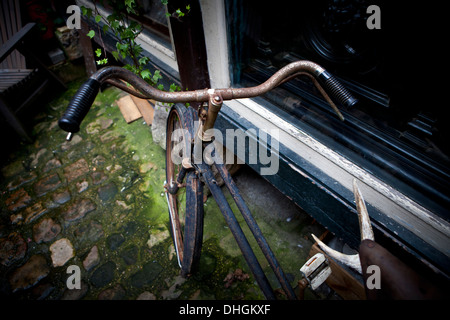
point(83, 99)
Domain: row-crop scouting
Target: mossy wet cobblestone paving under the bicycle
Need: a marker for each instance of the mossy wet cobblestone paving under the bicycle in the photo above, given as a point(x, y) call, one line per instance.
point(95, 207)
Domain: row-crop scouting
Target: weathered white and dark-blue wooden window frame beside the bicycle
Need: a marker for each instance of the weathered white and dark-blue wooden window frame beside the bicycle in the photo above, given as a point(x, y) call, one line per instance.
point(394, 214)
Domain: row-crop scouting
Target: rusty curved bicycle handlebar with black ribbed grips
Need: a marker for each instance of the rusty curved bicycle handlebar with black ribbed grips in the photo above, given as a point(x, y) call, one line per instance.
point(82, 100)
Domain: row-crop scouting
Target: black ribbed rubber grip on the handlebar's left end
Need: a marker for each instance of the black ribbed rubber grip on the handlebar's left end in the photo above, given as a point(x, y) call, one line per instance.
point(79, 106)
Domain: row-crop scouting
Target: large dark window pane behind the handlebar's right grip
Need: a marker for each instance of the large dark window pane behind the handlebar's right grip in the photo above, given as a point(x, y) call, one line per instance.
point(391, 132)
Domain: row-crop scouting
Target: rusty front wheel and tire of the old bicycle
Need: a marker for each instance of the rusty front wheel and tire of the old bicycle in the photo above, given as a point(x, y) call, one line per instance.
point(186, 205)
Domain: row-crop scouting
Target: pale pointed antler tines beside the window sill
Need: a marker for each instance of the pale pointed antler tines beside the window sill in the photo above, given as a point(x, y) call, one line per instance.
point(364, 227)
